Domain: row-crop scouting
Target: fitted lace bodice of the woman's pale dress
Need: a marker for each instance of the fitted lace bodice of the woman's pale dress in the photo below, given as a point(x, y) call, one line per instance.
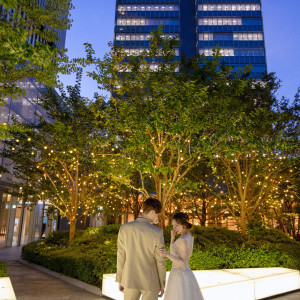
point(183, 248)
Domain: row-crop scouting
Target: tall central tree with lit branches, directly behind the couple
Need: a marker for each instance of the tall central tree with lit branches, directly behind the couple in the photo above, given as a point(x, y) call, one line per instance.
point(153, 113)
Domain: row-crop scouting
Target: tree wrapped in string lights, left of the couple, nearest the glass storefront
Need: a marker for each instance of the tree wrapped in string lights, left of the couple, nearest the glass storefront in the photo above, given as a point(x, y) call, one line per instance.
point(57, 158)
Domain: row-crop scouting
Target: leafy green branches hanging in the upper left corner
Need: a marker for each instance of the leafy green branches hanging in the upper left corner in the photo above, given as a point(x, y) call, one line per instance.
point(19, 58)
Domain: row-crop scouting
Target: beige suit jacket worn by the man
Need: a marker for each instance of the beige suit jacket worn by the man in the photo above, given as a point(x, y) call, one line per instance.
point(139, 264)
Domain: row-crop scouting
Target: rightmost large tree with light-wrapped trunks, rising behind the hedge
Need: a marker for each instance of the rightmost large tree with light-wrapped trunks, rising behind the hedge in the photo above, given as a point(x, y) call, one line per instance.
point(257, 143)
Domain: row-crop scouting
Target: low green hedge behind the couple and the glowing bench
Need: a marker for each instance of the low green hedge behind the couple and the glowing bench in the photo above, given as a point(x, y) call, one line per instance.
point(94, 251)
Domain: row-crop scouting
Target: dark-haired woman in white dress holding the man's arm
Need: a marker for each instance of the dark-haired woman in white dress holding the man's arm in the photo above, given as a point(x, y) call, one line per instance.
point(182, 283)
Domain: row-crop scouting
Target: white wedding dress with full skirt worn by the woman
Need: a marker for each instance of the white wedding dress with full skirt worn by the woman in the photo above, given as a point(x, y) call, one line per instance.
point(182, 284)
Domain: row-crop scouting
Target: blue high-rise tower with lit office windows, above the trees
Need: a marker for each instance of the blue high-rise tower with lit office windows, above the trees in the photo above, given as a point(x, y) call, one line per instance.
point(236, 26)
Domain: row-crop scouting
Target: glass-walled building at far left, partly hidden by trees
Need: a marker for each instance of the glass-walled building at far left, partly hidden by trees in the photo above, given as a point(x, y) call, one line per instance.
point(17, 224)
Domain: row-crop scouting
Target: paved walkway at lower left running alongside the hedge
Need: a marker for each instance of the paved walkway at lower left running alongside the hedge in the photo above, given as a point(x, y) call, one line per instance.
point(30, 284)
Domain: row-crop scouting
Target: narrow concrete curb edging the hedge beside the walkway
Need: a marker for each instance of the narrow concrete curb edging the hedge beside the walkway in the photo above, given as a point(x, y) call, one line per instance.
point(85, 286)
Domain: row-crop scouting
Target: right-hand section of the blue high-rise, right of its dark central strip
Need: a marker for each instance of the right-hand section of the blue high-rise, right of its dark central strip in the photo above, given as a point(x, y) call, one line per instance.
point(235, 26)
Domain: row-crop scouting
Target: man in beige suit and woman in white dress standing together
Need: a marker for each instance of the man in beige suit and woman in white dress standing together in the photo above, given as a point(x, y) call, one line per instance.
point(141, 265)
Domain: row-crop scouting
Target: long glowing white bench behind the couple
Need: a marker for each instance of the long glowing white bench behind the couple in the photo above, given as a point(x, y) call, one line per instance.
point(246, 284)
